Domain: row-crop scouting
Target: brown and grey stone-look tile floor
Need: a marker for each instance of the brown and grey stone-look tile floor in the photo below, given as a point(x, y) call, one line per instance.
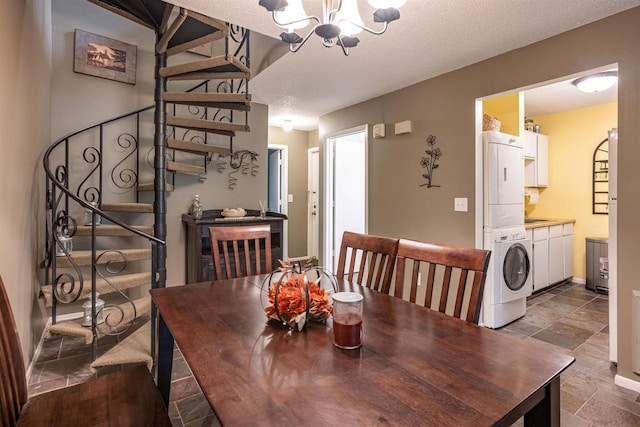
point(567, 318)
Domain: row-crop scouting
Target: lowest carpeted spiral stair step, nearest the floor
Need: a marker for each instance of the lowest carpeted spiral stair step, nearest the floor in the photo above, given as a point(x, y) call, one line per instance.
point(136, 348)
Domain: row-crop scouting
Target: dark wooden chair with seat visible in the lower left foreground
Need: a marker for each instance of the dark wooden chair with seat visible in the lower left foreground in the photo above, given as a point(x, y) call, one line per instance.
point(128, 397)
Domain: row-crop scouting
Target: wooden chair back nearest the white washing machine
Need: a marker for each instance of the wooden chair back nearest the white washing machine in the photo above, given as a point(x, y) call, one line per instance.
point(444, 262)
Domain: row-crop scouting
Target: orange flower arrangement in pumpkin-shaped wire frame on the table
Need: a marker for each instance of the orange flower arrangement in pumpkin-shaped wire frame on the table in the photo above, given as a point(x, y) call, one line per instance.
point(294, 299)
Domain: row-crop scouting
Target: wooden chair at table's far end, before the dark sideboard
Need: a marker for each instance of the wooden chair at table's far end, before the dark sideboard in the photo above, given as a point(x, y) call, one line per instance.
point(244, 245)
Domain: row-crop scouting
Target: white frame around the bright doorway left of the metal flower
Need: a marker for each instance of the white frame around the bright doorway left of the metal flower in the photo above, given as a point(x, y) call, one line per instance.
point(328, 188)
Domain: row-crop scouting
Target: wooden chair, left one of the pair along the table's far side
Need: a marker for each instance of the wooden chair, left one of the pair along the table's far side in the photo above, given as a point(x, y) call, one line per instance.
point(374, 256)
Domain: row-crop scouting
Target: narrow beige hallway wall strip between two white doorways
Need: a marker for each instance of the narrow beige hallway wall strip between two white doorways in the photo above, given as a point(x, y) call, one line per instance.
point(296, 141)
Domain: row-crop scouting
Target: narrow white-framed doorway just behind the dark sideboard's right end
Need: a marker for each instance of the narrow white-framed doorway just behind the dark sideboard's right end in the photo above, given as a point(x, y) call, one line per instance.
point(277, 186)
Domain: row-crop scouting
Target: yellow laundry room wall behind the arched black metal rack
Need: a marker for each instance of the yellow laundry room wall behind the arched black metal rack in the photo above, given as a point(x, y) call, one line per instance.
point(573, 136)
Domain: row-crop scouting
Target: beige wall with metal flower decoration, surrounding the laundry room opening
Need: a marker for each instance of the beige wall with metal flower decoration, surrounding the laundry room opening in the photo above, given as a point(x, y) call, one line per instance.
point(445, 106)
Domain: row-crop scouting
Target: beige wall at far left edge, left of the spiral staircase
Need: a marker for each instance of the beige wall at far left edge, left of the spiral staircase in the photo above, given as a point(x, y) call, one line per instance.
point(25, 43)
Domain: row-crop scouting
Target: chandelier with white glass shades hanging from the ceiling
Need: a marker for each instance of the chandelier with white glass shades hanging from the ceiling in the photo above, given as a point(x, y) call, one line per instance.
point(339, 24)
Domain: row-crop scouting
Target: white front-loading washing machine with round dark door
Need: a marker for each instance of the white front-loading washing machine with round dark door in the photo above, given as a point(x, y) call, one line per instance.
point(509, 280)
